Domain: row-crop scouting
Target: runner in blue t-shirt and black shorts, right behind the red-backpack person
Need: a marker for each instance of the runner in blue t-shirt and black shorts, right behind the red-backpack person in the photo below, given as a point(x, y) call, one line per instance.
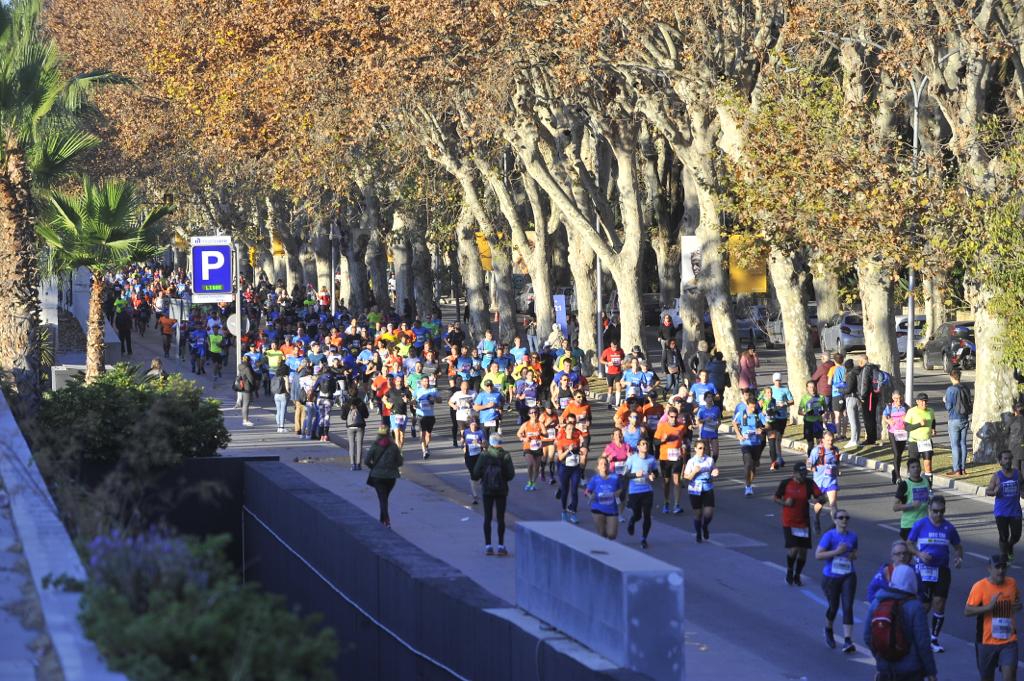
point(930, 542)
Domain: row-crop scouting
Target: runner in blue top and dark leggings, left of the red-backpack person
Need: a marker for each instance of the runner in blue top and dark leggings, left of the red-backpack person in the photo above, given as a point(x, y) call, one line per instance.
point(839, 549)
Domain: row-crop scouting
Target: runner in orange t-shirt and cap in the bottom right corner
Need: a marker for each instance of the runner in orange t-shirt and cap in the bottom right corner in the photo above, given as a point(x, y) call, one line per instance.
point(996, 603)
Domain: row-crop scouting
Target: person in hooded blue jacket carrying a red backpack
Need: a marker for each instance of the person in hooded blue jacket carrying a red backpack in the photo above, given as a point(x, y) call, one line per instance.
point(897, 632)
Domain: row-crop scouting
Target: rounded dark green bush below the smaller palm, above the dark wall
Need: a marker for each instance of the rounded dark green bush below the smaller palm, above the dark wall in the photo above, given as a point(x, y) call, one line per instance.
point(105, 447)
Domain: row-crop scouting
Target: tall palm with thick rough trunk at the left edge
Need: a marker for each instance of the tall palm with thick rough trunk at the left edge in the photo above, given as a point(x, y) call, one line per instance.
point(40, 113)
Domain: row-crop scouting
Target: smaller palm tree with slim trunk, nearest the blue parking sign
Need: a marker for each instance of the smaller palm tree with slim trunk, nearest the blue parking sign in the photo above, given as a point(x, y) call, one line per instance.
point(104, 228)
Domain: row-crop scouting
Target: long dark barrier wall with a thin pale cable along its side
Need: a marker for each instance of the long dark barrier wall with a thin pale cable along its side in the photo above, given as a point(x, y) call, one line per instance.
point(399, 613)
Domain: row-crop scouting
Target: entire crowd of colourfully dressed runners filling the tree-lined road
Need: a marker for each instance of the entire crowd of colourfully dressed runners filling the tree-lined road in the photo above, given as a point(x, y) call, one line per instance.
point(534, 399)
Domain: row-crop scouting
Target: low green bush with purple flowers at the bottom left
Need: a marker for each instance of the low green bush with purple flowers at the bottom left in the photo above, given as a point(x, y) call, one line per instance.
point(163, 610)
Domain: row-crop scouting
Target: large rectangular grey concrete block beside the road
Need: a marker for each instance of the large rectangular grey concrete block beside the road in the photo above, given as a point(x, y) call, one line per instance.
point(617, 601)
